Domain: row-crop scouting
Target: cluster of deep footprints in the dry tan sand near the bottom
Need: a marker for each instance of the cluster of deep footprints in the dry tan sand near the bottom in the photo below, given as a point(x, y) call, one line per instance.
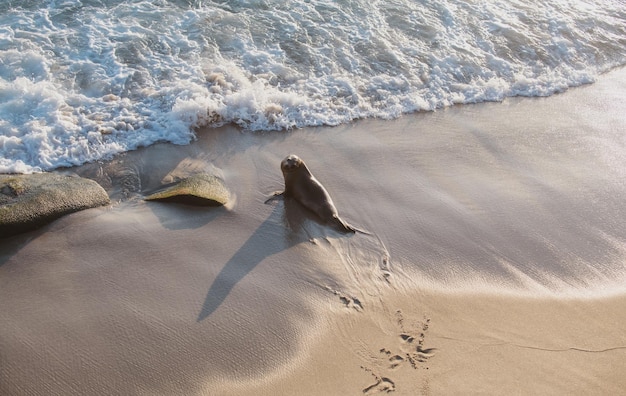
point(410, 351)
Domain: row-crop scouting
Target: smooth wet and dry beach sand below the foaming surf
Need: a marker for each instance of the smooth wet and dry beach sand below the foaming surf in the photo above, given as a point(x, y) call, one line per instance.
point(496, 263)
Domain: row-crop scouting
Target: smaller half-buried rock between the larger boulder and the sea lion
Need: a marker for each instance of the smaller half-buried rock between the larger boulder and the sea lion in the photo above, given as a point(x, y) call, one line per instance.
point(202, 189)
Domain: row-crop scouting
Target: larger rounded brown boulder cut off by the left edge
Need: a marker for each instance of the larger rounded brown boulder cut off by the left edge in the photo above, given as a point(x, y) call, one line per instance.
point(28, 202)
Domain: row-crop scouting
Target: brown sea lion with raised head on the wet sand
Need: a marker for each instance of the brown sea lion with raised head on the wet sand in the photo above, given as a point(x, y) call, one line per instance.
point(301, 185)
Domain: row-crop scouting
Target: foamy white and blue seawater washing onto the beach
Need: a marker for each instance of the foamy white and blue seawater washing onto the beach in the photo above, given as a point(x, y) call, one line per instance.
point(84, 80)
